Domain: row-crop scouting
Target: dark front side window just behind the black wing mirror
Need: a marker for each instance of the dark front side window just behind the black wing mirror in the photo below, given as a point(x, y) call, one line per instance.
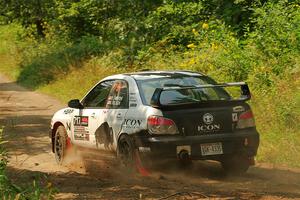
point(98, 95)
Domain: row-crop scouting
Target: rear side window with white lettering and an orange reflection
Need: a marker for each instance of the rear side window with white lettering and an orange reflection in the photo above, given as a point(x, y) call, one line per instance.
point(118, 96)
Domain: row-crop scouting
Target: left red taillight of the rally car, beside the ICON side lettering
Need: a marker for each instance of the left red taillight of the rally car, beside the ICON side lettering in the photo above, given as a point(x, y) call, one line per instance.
point(161, 125)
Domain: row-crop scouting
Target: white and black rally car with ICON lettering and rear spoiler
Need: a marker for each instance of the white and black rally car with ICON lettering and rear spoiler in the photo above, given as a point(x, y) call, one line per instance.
point(168, 114)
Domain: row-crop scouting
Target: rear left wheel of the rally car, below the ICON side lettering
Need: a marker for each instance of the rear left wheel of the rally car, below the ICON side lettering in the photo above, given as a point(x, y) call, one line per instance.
point(125, 152)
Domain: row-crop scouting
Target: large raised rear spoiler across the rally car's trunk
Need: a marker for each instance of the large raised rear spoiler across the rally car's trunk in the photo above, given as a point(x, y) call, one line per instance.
point(245, 92)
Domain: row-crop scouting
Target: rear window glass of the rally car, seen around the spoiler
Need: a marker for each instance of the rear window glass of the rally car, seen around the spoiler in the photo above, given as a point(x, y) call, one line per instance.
point(181, 96)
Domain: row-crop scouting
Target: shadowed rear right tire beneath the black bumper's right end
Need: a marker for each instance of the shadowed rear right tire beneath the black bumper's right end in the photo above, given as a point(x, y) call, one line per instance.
point(235, 165)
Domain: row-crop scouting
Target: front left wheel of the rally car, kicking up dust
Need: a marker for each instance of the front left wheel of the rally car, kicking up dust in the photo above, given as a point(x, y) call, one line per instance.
point(60, 144)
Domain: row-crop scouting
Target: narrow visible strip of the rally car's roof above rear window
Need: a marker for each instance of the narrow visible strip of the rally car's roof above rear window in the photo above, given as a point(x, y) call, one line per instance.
point(152, 74)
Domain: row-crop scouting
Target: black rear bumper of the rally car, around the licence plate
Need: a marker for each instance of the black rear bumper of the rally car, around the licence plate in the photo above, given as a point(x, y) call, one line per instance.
point(240, 142)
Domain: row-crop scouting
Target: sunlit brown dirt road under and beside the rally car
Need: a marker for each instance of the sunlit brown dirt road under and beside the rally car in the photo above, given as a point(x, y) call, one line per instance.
point(26, 115)
